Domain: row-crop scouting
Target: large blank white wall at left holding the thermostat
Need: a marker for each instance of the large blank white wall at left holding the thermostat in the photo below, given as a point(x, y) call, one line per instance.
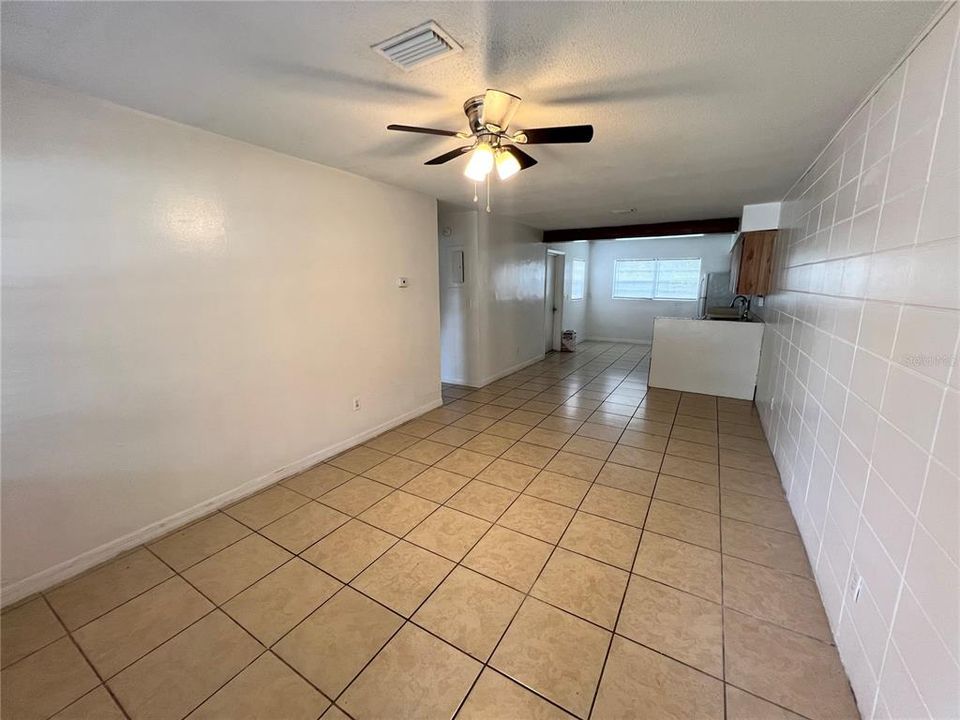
point(184, 317)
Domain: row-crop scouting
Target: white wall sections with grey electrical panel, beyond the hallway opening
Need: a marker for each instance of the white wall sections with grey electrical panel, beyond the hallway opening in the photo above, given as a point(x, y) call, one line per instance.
point(494, 324)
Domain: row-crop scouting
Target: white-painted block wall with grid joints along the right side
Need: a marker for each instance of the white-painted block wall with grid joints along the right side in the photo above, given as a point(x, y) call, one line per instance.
point(859, 382)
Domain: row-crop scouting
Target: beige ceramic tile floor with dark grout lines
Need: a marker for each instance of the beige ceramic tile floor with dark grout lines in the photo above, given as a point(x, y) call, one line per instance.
point(563, 542)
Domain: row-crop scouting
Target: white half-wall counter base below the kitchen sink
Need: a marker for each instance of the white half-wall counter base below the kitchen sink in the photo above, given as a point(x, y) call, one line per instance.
point(712, 357)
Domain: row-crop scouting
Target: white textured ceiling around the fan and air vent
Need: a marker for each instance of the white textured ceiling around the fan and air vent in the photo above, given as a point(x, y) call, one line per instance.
point(699, 107)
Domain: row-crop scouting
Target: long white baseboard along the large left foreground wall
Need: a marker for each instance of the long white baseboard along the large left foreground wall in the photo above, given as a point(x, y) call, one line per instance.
point(91, 558)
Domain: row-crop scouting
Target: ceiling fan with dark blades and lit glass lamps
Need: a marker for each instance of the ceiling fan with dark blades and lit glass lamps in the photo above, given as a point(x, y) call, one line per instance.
point(489, 116)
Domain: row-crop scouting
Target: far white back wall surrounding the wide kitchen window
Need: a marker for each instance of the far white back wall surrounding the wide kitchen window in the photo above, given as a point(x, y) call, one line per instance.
point(626, 320)
